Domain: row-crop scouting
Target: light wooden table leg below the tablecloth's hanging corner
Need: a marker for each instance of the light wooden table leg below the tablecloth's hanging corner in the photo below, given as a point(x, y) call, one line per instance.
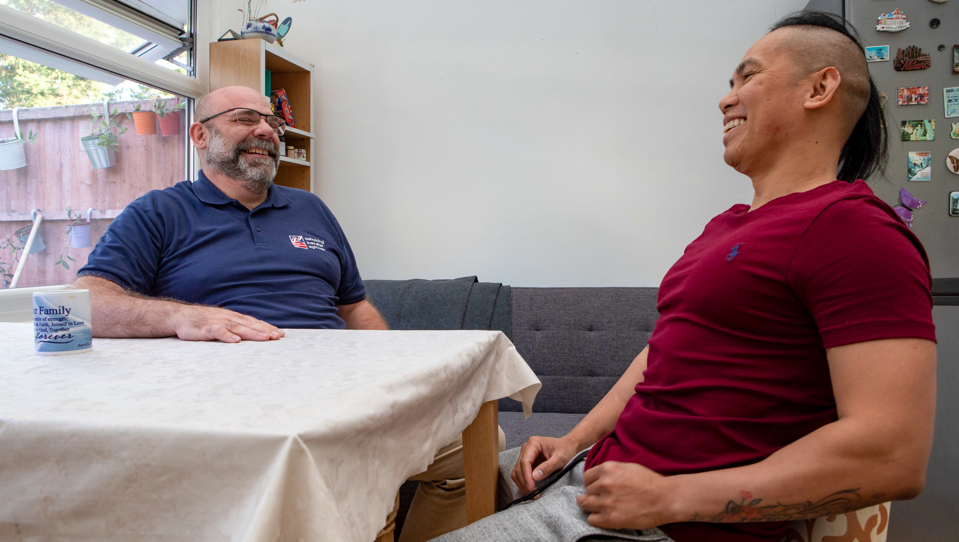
point(481, 462)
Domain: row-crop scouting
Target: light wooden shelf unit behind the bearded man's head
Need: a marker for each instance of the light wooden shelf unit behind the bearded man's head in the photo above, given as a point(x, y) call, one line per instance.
point(243, 62)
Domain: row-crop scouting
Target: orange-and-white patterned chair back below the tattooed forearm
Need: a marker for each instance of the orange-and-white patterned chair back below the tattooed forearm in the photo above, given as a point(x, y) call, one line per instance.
point(866, 525)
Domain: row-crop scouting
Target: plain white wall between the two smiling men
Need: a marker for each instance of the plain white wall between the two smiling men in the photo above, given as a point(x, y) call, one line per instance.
point(529, 142)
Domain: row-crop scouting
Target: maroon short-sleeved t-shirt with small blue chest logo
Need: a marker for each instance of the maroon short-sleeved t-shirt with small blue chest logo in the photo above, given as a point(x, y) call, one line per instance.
point(737, 363)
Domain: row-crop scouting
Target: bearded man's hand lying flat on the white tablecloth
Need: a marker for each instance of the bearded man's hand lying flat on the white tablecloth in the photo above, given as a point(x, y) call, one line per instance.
point(202, 323)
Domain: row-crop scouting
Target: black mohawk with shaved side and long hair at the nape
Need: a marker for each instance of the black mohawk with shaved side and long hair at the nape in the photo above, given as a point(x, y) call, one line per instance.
point(820, 40)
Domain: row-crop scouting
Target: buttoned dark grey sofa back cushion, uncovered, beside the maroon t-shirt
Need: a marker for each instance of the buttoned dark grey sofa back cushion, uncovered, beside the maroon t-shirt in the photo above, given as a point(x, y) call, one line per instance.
point(579, 341)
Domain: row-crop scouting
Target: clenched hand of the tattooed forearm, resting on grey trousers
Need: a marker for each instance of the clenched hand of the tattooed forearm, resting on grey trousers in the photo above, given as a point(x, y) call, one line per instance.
point(625, 496)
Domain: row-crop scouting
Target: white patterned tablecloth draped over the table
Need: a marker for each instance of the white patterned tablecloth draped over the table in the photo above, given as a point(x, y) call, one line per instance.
point(306, 438)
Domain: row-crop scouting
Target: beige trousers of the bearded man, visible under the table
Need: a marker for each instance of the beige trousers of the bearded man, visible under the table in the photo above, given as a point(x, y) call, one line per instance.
point(439, 505)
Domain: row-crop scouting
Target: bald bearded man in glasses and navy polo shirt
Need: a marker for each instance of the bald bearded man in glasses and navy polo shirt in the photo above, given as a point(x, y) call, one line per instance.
point(231, 256)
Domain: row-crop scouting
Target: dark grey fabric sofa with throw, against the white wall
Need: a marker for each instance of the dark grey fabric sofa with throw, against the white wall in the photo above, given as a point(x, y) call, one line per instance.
point(578, 341)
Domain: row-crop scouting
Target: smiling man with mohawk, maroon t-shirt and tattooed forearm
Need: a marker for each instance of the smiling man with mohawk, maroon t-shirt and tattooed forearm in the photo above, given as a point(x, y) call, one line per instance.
point(791, 374)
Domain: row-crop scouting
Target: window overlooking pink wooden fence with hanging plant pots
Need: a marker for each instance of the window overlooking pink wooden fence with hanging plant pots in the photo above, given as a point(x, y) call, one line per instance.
point(101, 95)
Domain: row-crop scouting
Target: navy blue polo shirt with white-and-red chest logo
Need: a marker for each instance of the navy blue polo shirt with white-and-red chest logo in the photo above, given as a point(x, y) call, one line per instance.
point(286, 262)
